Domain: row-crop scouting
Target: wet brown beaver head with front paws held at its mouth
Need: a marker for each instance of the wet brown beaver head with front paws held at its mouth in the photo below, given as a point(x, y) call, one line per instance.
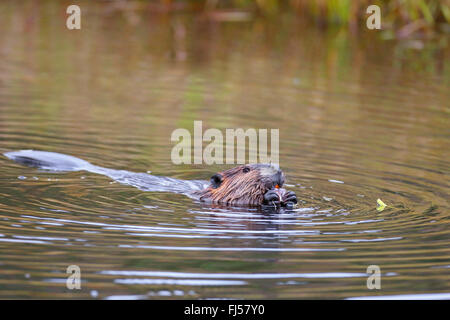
point(252, 184)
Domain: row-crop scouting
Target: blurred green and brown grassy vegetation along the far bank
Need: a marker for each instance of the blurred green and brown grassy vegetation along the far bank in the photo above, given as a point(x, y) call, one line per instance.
point(404, 16)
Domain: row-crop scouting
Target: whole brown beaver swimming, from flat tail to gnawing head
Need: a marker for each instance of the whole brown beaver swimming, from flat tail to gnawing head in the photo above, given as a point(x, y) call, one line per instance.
point(244, 185)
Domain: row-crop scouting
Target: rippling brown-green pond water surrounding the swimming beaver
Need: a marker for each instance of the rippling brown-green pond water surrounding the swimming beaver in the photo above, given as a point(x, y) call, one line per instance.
point(359, 119)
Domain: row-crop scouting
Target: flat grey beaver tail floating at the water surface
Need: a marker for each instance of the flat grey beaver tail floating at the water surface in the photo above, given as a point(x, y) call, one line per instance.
point(49, 160)
